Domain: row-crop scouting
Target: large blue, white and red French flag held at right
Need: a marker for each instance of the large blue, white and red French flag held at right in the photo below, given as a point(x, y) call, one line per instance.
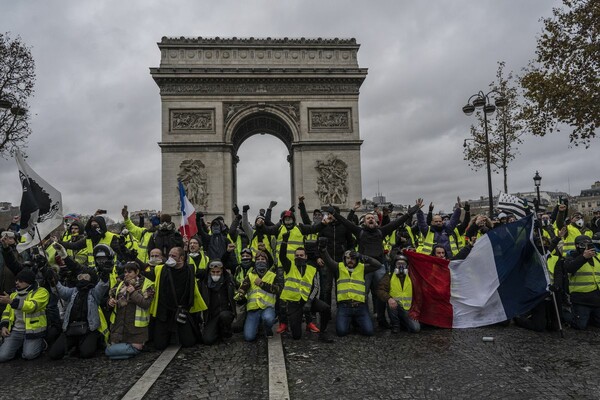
point(503, 276)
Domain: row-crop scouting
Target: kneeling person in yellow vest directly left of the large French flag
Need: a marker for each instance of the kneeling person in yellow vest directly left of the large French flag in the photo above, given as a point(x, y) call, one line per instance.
point(396, 290)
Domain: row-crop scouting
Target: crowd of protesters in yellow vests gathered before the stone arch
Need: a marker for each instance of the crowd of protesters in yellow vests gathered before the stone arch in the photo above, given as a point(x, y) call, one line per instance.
point(87, 288)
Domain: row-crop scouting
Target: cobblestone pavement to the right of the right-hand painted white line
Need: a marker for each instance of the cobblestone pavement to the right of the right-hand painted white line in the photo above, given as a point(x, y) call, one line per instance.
point(447, 364)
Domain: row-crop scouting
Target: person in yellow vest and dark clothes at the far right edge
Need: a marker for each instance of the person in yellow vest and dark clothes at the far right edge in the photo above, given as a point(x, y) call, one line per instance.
point(583, 266)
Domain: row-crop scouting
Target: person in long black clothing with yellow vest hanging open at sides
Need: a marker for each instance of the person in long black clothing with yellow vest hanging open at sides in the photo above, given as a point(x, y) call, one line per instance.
point(177, 301)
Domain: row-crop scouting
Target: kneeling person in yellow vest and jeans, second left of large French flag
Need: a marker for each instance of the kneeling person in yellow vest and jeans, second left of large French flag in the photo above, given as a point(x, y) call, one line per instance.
point(351, 290)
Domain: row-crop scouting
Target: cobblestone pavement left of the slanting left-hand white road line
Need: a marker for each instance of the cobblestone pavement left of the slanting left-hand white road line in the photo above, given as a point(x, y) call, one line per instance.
point(97, 378)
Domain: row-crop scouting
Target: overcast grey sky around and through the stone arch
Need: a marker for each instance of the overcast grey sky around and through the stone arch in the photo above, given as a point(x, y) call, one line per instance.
point(96, 111)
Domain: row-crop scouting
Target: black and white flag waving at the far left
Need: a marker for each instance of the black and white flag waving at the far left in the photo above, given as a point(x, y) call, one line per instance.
point(41, 206)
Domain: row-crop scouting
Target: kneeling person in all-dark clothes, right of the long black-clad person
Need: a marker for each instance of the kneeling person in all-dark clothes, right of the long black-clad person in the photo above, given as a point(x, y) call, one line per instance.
point(217, 290)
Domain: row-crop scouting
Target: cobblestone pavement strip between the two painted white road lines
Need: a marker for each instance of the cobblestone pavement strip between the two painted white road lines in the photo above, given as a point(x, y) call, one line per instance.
point(232, 370)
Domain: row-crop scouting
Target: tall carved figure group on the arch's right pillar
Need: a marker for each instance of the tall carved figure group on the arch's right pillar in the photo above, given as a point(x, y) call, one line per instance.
point(332, 182)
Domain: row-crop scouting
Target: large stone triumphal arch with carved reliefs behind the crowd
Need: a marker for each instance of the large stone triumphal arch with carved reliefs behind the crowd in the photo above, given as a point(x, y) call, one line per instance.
point(216, 93)
